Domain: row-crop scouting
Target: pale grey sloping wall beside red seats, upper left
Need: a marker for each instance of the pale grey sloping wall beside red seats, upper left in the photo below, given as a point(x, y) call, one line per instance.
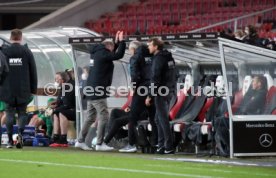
point(78, 12)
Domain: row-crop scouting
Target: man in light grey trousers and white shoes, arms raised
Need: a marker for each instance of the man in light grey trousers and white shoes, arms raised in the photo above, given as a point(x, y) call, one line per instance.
point(100, 78)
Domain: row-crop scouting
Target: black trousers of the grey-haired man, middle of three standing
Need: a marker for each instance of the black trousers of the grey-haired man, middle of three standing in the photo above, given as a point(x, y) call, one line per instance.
point(137, 108)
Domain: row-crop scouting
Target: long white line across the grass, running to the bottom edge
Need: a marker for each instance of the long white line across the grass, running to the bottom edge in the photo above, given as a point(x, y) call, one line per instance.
point(106, 168)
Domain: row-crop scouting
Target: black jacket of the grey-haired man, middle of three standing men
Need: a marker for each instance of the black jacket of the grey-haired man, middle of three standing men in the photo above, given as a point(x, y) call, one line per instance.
point(140, 66)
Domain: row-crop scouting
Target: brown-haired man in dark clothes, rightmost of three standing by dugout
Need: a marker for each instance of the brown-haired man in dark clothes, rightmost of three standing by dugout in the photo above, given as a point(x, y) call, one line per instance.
point(163, 81)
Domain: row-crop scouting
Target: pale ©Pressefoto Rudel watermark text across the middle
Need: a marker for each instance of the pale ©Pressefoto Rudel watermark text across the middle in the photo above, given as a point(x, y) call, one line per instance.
point(51, 89)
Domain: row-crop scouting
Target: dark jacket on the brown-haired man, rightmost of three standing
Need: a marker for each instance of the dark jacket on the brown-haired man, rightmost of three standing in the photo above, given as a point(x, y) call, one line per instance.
point(163, 72)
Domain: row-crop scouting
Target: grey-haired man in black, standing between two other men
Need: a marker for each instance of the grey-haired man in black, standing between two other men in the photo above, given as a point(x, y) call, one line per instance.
point(140, 71)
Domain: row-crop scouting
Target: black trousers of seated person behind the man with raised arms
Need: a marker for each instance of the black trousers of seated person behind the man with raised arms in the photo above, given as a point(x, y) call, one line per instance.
point(118, 119)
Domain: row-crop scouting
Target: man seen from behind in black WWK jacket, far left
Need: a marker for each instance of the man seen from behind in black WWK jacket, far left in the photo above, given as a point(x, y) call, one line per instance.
point(19, 85)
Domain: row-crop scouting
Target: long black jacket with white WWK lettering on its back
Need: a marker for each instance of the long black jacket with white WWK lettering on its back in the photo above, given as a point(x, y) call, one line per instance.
point(21, 81)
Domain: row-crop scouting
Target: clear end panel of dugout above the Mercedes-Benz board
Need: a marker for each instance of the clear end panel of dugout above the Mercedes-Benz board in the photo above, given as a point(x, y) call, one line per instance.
point(250, 75)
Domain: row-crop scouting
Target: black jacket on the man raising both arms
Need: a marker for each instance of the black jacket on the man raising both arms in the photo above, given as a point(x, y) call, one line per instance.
point(101, 69)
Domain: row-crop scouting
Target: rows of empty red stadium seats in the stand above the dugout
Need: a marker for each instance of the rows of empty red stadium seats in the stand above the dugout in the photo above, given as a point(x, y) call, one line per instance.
point(175, 12)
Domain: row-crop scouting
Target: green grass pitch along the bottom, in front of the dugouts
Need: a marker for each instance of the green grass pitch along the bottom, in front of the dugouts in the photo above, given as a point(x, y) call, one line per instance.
point(70, 163)
